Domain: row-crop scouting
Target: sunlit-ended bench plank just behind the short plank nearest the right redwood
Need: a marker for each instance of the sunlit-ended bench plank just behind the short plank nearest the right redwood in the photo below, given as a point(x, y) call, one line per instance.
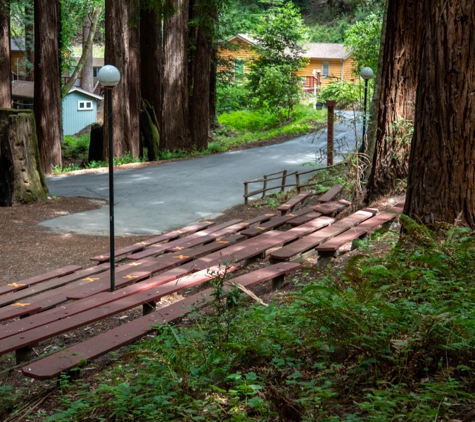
point(311, 241)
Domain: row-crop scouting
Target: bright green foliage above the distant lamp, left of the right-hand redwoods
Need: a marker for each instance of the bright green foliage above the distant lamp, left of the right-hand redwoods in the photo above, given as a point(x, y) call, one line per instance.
point(364, 39)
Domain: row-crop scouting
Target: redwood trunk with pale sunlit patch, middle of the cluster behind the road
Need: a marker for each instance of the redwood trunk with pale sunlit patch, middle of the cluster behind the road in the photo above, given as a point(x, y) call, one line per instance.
point(175, 134)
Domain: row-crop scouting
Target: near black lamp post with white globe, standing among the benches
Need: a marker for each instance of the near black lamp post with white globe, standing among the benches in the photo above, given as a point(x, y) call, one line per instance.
point(109, 77)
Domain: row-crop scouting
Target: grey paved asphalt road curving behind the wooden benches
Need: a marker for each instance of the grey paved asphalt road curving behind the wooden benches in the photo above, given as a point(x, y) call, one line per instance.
point(152, 200)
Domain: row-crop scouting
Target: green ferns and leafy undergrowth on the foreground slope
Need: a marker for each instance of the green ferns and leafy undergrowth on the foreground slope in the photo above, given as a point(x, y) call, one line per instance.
point(389, 339)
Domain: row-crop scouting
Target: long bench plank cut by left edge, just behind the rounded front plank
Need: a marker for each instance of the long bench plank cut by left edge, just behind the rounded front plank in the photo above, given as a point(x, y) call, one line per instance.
point(44, 332)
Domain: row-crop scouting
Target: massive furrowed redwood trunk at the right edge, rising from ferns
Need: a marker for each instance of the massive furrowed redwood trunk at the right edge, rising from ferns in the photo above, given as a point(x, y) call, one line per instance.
point(441, 181)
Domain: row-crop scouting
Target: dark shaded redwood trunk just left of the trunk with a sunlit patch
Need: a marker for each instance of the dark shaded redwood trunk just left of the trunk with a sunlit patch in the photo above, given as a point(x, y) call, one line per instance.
point(151, 49)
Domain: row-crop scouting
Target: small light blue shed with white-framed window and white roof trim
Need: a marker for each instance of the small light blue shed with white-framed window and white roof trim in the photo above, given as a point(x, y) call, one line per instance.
point(79, 110)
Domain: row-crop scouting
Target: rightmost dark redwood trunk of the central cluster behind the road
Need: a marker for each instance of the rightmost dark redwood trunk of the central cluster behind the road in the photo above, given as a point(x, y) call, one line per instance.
point(200, 71)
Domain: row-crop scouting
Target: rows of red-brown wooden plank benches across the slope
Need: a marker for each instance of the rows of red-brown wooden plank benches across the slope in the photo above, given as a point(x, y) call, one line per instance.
point(63, 300)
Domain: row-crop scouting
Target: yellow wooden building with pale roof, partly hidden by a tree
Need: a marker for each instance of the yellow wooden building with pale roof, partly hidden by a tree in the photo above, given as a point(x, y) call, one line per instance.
point(326, 61)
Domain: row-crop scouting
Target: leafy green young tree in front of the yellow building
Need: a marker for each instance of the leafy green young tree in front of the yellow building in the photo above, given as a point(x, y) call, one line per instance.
point(279, 45)
